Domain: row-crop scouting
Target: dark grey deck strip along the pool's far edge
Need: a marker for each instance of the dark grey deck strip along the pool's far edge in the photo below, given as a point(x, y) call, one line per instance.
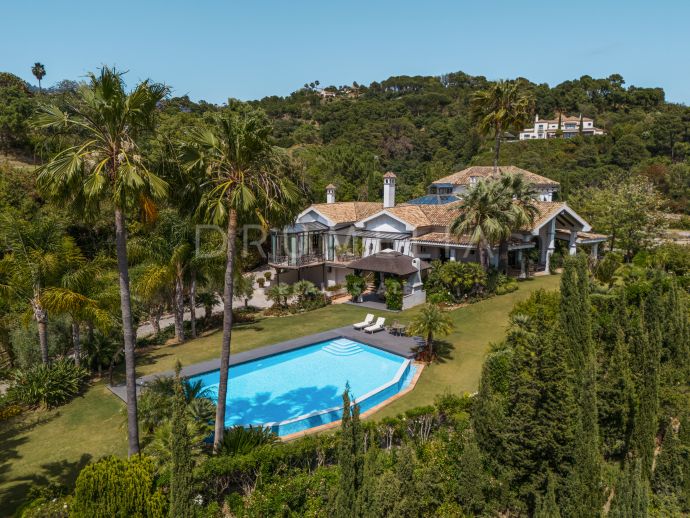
point(400, 345)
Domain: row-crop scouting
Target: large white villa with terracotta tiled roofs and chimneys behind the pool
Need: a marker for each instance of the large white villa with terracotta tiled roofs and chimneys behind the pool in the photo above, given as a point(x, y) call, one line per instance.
point(331, 240)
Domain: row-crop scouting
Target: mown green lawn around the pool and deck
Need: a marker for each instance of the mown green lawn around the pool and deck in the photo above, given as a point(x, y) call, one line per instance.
point(54, 445)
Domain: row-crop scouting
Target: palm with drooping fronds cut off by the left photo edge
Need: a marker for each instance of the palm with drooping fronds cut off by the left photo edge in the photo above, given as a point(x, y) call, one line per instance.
point(36, 254)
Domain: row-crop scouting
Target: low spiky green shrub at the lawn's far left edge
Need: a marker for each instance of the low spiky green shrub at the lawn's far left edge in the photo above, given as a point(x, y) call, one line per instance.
point(48, 385)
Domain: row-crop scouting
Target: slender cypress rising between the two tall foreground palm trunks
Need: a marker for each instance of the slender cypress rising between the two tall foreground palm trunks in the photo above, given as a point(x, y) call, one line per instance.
point(181, 482)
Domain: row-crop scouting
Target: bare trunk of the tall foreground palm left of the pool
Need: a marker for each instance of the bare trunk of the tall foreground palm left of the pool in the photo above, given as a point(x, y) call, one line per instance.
point(128, 332)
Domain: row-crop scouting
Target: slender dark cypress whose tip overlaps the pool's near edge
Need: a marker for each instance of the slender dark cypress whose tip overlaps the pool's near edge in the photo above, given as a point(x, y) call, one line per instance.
point(350, 461)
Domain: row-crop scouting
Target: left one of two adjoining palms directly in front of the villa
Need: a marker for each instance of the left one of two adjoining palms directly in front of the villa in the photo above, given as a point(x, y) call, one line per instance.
point(483, 218)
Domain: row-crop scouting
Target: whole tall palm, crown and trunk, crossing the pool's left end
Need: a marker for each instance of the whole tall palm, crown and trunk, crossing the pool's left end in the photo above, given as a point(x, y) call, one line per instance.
point(242, 179)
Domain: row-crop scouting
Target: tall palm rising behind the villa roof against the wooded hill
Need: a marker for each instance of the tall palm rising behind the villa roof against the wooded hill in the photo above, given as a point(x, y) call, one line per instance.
point(502, 106)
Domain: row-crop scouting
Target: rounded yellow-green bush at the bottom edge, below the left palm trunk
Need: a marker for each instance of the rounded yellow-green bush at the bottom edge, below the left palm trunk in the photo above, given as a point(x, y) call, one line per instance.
point(118, 487)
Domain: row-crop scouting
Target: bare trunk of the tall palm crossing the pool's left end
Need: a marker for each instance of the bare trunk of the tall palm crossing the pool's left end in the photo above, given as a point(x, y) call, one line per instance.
point(227, 331)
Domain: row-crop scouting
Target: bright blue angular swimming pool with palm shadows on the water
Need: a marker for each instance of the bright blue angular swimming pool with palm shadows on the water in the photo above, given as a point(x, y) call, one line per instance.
point(299, 389)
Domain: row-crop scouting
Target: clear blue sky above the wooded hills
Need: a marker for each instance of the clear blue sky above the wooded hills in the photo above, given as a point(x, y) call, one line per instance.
point(212, 49)
